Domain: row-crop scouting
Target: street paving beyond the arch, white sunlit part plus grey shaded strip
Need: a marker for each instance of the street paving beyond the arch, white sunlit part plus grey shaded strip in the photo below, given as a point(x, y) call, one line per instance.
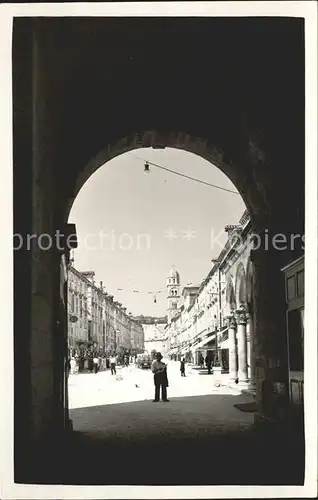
point(189, 412)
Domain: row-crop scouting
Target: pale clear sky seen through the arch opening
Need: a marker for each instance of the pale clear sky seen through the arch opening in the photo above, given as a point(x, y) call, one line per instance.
point(120, 198)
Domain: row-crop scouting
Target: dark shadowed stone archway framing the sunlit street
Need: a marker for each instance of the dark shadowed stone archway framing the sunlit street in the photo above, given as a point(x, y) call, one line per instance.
point(82, 96)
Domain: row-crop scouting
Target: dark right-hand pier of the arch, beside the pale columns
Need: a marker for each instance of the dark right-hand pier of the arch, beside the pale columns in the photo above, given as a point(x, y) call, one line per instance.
point(270, 337)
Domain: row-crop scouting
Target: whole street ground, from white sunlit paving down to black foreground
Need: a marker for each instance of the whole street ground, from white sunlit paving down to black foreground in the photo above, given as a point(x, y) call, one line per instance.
point(199, 437)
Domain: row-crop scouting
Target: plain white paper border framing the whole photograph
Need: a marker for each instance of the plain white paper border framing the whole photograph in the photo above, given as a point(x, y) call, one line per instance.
point(303, 9)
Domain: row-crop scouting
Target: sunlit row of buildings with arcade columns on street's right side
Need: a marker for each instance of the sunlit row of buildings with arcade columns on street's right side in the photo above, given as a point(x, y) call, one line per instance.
point(216, 319)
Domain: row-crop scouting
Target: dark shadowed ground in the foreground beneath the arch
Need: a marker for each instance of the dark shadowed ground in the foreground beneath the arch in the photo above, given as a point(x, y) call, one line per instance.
point(188, 441)
